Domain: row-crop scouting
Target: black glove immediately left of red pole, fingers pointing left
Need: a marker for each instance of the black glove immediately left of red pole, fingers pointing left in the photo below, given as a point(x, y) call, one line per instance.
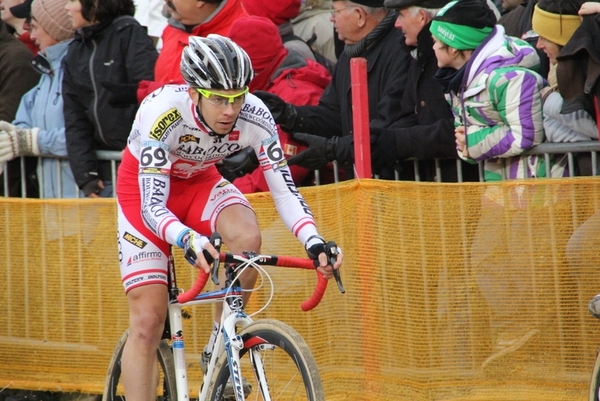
point(322, 151)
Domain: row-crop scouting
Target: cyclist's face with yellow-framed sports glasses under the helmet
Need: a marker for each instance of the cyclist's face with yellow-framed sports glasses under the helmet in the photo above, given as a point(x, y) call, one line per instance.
point(218, 112)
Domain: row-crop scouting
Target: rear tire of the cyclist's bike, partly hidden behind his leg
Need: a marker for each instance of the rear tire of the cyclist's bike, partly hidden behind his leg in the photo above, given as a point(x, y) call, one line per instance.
point(167, 389)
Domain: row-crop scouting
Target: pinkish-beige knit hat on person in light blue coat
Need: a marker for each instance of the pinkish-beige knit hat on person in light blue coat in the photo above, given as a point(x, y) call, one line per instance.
point(53, 18)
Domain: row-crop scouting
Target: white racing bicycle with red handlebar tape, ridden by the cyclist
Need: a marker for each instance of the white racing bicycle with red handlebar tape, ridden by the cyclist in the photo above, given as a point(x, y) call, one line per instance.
point(270, 351)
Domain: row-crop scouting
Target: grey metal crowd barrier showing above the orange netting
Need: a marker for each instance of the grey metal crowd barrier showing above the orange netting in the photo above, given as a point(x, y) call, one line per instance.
point(575, 150)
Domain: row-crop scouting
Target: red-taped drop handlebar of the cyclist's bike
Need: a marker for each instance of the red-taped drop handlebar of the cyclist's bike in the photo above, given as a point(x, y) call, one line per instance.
point(264, 260)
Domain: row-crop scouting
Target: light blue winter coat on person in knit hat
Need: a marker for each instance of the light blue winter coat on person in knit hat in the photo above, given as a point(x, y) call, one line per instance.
point(42, 107)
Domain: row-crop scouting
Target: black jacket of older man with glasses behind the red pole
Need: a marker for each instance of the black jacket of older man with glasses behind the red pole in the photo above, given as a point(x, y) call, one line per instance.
point(387, 66)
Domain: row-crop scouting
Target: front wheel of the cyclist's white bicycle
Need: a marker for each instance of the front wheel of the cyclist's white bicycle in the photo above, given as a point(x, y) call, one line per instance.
point(290, 367)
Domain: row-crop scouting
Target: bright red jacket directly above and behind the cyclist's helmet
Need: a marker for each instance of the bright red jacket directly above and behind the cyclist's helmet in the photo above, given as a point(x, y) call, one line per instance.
point(175, 39)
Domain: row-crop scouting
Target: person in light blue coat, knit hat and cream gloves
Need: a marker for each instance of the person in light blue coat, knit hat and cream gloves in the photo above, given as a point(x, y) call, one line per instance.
point(39, 126)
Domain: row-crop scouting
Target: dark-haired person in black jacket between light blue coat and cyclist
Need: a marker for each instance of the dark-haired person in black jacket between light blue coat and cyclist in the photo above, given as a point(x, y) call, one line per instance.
point(110, 49)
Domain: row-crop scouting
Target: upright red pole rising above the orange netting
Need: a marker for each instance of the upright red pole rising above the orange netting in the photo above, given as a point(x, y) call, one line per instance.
point(360, 117)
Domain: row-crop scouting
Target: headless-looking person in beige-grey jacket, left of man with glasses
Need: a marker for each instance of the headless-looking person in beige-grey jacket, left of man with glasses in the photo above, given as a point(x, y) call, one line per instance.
point(314, 26)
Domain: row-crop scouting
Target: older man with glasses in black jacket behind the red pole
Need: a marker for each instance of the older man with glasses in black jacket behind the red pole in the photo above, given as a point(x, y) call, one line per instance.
point(367, 28)
